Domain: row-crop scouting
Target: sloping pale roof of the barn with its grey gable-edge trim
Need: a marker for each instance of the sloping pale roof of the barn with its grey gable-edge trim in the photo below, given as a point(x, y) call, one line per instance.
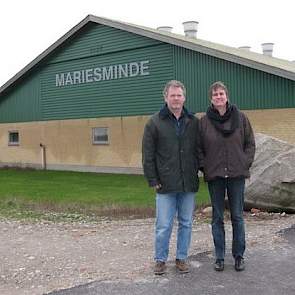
point(272, 65)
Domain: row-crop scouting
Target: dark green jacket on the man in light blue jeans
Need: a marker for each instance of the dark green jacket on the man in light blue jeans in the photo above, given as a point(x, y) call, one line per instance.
point(170, 159)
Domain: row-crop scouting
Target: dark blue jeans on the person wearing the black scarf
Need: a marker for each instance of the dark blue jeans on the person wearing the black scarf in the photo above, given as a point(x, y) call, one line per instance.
point(235, 191)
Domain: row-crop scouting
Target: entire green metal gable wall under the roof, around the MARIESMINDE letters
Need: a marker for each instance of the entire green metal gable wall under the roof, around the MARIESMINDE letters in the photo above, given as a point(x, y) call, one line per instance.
point(38, 97)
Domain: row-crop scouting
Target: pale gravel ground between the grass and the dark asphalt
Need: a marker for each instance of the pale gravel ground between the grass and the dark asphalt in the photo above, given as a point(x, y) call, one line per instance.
point(39, 257)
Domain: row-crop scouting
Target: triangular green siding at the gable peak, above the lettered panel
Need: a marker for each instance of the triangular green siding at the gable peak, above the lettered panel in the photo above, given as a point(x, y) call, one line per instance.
point(97, 39)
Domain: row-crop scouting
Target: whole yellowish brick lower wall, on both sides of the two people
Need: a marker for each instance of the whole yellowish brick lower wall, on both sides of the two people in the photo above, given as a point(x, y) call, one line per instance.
point(69, 142)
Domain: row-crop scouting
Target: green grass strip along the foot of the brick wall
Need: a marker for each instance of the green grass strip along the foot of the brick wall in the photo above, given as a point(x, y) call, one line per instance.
point(33, 192)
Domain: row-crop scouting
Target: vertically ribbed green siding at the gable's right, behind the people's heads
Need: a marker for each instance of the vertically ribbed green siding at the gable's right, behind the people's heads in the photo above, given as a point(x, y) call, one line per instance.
point(248, 88)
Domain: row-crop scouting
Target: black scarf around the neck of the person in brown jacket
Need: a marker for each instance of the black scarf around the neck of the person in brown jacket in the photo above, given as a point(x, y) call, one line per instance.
point(218, 121)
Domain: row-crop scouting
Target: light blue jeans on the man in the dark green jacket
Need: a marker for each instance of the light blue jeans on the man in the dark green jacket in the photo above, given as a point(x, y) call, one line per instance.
point(167, 206)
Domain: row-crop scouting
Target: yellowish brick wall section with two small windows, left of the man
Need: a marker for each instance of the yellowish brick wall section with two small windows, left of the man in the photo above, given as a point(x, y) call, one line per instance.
point(69, 142)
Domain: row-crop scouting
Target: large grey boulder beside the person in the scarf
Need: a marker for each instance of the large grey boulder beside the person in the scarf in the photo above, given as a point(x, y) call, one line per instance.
point(272, 182)
